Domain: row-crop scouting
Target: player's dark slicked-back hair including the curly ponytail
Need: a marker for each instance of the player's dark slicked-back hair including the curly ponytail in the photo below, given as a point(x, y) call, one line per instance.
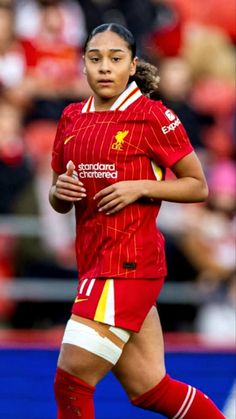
point(146, 75)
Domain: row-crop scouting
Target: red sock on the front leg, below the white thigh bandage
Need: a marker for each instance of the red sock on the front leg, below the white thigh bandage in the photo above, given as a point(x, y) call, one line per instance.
point(74, 397)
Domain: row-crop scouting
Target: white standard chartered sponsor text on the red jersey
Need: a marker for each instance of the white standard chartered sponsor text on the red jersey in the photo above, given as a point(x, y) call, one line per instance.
point(97, 170)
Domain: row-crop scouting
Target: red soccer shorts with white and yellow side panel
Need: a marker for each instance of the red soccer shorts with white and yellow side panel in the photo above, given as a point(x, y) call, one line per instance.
point(118, 302)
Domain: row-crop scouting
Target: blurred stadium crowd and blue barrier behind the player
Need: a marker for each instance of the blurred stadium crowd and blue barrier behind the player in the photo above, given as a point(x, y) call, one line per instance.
point(41, 43)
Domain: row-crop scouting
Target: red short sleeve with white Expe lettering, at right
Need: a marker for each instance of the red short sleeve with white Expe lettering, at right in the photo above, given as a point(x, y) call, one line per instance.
point(167, 140)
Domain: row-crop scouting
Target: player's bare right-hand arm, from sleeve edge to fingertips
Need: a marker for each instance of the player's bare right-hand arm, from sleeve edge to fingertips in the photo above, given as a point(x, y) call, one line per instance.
point(188, 186)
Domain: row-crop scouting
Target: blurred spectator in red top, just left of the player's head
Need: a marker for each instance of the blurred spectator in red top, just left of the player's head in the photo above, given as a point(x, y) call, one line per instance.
point(57, 76)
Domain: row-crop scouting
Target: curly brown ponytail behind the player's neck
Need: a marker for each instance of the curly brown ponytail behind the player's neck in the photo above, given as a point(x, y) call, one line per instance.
point(146, 77)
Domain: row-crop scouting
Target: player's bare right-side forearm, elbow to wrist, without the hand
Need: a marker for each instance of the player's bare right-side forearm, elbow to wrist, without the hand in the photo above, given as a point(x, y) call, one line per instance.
point(186, 190)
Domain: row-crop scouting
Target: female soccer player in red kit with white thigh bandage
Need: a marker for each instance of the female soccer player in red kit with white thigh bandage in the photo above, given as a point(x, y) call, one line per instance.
point(109, 160)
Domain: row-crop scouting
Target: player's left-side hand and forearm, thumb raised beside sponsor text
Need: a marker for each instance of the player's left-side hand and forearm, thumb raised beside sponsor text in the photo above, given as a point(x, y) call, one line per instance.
point(65, 190)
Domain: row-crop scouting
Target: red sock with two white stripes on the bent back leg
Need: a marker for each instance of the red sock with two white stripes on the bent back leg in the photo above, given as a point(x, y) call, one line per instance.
point(177, 400)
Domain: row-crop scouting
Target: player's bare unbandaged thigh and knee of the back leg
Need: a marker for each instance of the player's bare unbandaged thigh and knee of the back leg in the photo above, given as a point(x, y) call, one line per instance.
point(141, 365)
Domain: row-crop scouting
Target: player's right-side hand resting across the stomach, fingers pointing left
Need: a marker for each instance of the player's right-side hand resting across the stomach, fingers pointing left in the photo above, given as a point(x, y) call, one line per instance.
point(117, 196)
